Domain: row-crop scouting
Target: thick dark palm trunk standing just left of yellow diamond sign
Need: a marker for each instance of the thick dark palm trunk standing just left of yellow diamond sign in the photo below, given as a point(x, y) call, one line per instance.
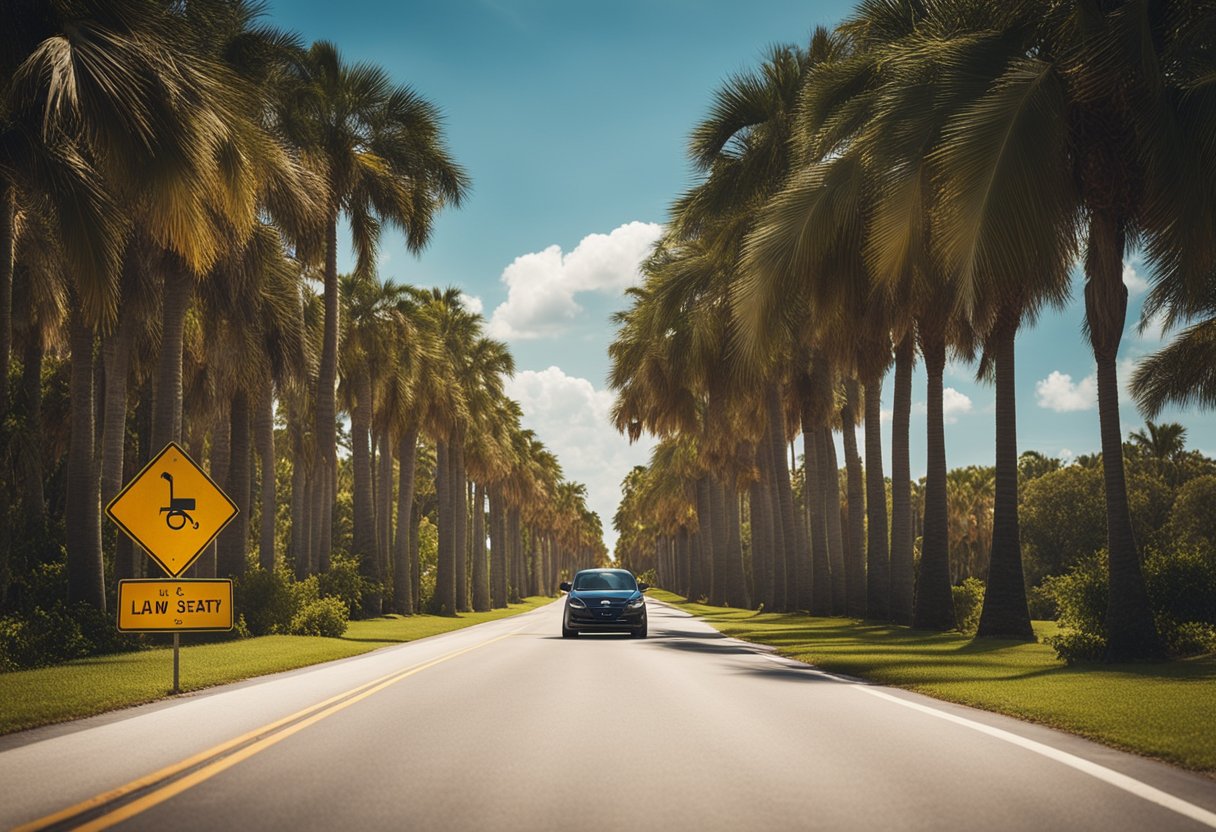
point(83, 509)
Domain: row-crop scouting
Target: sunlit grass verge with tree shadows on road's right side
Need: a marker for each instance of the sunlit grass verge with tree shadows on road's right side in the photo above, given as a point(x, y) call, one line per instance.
point(1164, 711)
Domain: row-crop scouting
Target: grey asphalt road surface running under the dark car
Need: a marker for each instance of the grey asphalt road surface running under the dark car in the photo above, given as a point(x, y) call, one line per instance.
point(508, 727)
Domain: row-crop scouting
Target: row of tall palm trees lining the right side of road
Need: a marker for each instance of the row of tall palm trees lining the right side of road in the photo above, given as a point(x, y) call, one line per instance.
point(920, 181)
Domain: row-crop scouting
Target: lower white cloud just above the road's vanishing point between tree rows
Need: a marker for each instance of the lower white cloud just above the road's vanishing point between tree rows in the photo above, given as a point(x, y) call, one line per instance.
point(572, 418)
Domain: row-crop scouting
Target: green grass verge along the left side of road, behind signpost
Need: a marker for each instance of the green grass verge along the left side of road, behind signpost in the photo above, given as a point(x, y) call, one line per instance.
point(105, 683)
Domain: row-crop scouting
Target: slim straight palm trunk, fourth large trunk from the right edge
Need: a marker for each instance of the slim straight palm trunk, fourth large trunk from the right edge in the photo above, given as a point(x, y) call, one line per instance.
point(903, 580)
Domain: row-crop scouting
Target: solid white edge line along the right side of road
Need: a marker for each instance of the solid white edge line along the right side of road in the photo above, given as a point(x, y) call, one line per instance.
point(1102, 773)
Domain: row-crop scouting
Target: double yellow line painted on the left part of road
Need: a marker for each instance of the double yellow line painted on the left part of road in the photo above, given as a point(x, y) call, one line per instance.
point(207, 764)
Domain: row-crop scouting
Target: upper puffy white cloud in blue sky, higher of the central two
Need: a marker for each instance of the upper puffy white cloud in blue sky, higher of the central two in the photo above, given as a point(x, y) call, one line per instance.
point(542, 285)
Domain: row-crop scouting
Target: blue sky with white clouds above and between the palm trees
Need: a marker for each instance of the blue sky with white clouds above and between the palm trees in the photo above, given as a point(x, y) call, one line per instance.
point(572, 120)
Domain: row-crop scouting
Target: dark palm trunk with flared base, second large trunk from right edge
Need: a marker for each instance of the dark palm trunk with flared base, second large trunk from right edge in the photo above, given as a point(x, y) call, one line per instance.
point(1005, 598)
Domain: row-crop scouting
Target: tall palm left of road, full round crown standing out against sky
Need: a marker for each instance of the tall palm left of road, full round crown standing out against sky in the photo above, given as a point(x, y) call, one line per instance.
point(384, 161)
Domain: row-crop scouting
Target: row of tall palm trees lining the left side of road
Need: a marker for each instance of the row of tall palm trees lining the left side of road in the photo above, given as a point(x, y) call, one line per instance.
point(173, 183)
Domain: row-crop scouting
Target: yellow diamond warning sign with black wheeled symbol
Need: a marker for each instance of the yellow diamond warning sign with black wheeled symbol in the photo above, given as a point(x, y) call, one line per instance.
point(172, 509)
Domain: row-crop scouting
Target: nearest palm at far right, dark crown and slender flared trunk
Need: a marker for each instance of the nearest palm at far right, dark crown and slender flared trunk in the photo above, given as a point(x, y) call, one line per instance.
point(1106, 102)
